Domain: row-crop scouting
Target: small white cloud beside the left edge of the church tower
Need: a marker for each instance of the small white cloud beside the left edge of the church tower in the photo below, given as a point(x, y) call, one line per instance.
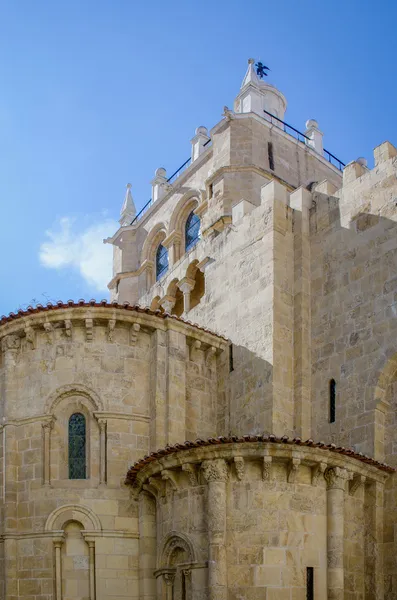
point(81, 250)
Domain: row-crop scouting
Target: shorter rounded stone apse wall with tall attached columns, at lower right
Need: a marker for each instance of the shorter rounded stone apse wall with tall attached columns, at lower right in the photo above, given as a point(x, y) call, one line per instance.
point(246, 520)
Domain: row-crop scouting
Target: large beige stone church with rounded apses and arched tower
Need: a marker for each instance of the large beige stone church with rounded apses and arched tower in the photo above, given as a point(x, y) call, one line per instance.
point(225, 427)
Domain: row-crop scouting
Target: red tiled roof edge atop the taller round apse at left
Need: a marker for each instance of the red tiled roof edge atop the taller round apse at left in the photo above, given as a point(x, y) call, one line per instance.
point(102, 304)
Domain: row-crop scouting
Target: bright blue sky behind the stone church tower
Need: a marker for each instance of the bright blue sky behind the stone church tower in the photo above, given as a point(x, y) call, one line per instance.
point(95, 94)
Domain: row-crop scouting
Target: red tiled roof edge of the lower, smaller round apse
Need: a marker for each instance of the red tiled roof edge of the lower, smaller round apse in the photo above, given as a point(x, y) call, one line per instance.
point(140, 464)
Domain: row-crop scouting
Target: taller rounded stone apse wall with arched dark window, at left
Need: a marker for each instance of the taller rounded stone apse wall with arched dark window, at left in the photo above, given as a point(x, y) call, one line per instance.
point(79, 537)
